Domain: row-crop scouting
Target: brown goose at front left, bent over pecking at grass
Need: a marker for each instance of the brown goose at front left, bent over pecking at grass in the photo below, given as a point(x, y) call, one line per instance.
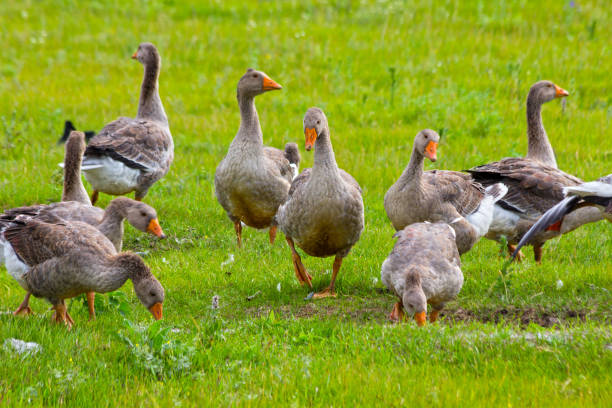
point(57, 260)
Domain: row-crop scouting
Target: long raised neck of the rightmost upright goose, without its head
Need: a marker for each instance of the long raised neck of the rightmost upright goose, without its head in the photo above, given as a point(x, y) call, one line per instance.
point(538, 145)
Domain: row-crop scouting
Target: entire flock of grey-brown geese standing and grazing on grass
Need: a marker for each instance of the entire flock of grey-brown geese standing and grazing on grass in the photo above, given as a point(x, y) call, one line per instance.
point(71, 247)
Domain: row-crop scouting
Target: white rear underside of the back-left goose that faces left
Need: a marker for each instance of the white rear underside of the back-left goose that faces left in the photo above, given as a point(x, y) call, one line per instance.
point(110, 175)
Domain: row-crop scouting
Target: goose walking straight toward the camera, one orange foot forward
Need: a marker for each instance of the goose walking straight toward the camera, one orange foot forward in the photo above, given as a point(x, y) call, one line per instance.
point(323, 214)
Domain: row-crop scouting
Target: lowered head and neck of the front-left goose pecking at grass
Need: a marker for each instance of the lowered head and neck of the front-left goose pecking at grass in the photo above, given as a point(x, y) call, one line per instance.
point(148, 289)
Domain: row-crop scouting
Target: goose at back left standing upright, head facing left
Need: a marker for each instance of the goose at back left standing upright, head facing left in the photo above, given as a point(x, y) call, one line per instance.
point(131, 154)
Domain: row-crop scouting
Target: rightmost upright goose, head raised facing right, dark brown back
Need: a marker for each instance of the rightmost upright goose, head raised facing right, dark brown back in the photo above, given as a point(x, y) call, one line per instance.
point(534, 183)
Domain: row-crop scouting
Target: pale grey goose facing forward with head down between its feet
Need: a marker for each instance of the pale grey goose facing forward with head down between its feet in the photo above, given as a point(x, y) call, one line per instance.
point(423, 267)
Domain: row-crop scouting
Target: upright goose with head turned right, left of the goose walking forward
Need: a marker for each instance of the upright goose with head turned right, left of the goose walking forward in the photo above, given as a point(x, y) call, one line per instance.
point(252, 180)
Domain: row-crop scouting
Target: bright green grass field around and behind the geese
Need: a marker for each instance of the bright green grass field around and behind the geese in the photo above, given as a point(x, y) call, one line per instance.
point(536, 336)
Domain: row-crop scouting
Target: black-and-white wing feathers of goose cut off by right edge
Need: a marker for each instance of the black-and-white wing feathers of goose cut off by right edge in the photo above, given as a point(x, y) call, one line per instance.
point(596, 194)
